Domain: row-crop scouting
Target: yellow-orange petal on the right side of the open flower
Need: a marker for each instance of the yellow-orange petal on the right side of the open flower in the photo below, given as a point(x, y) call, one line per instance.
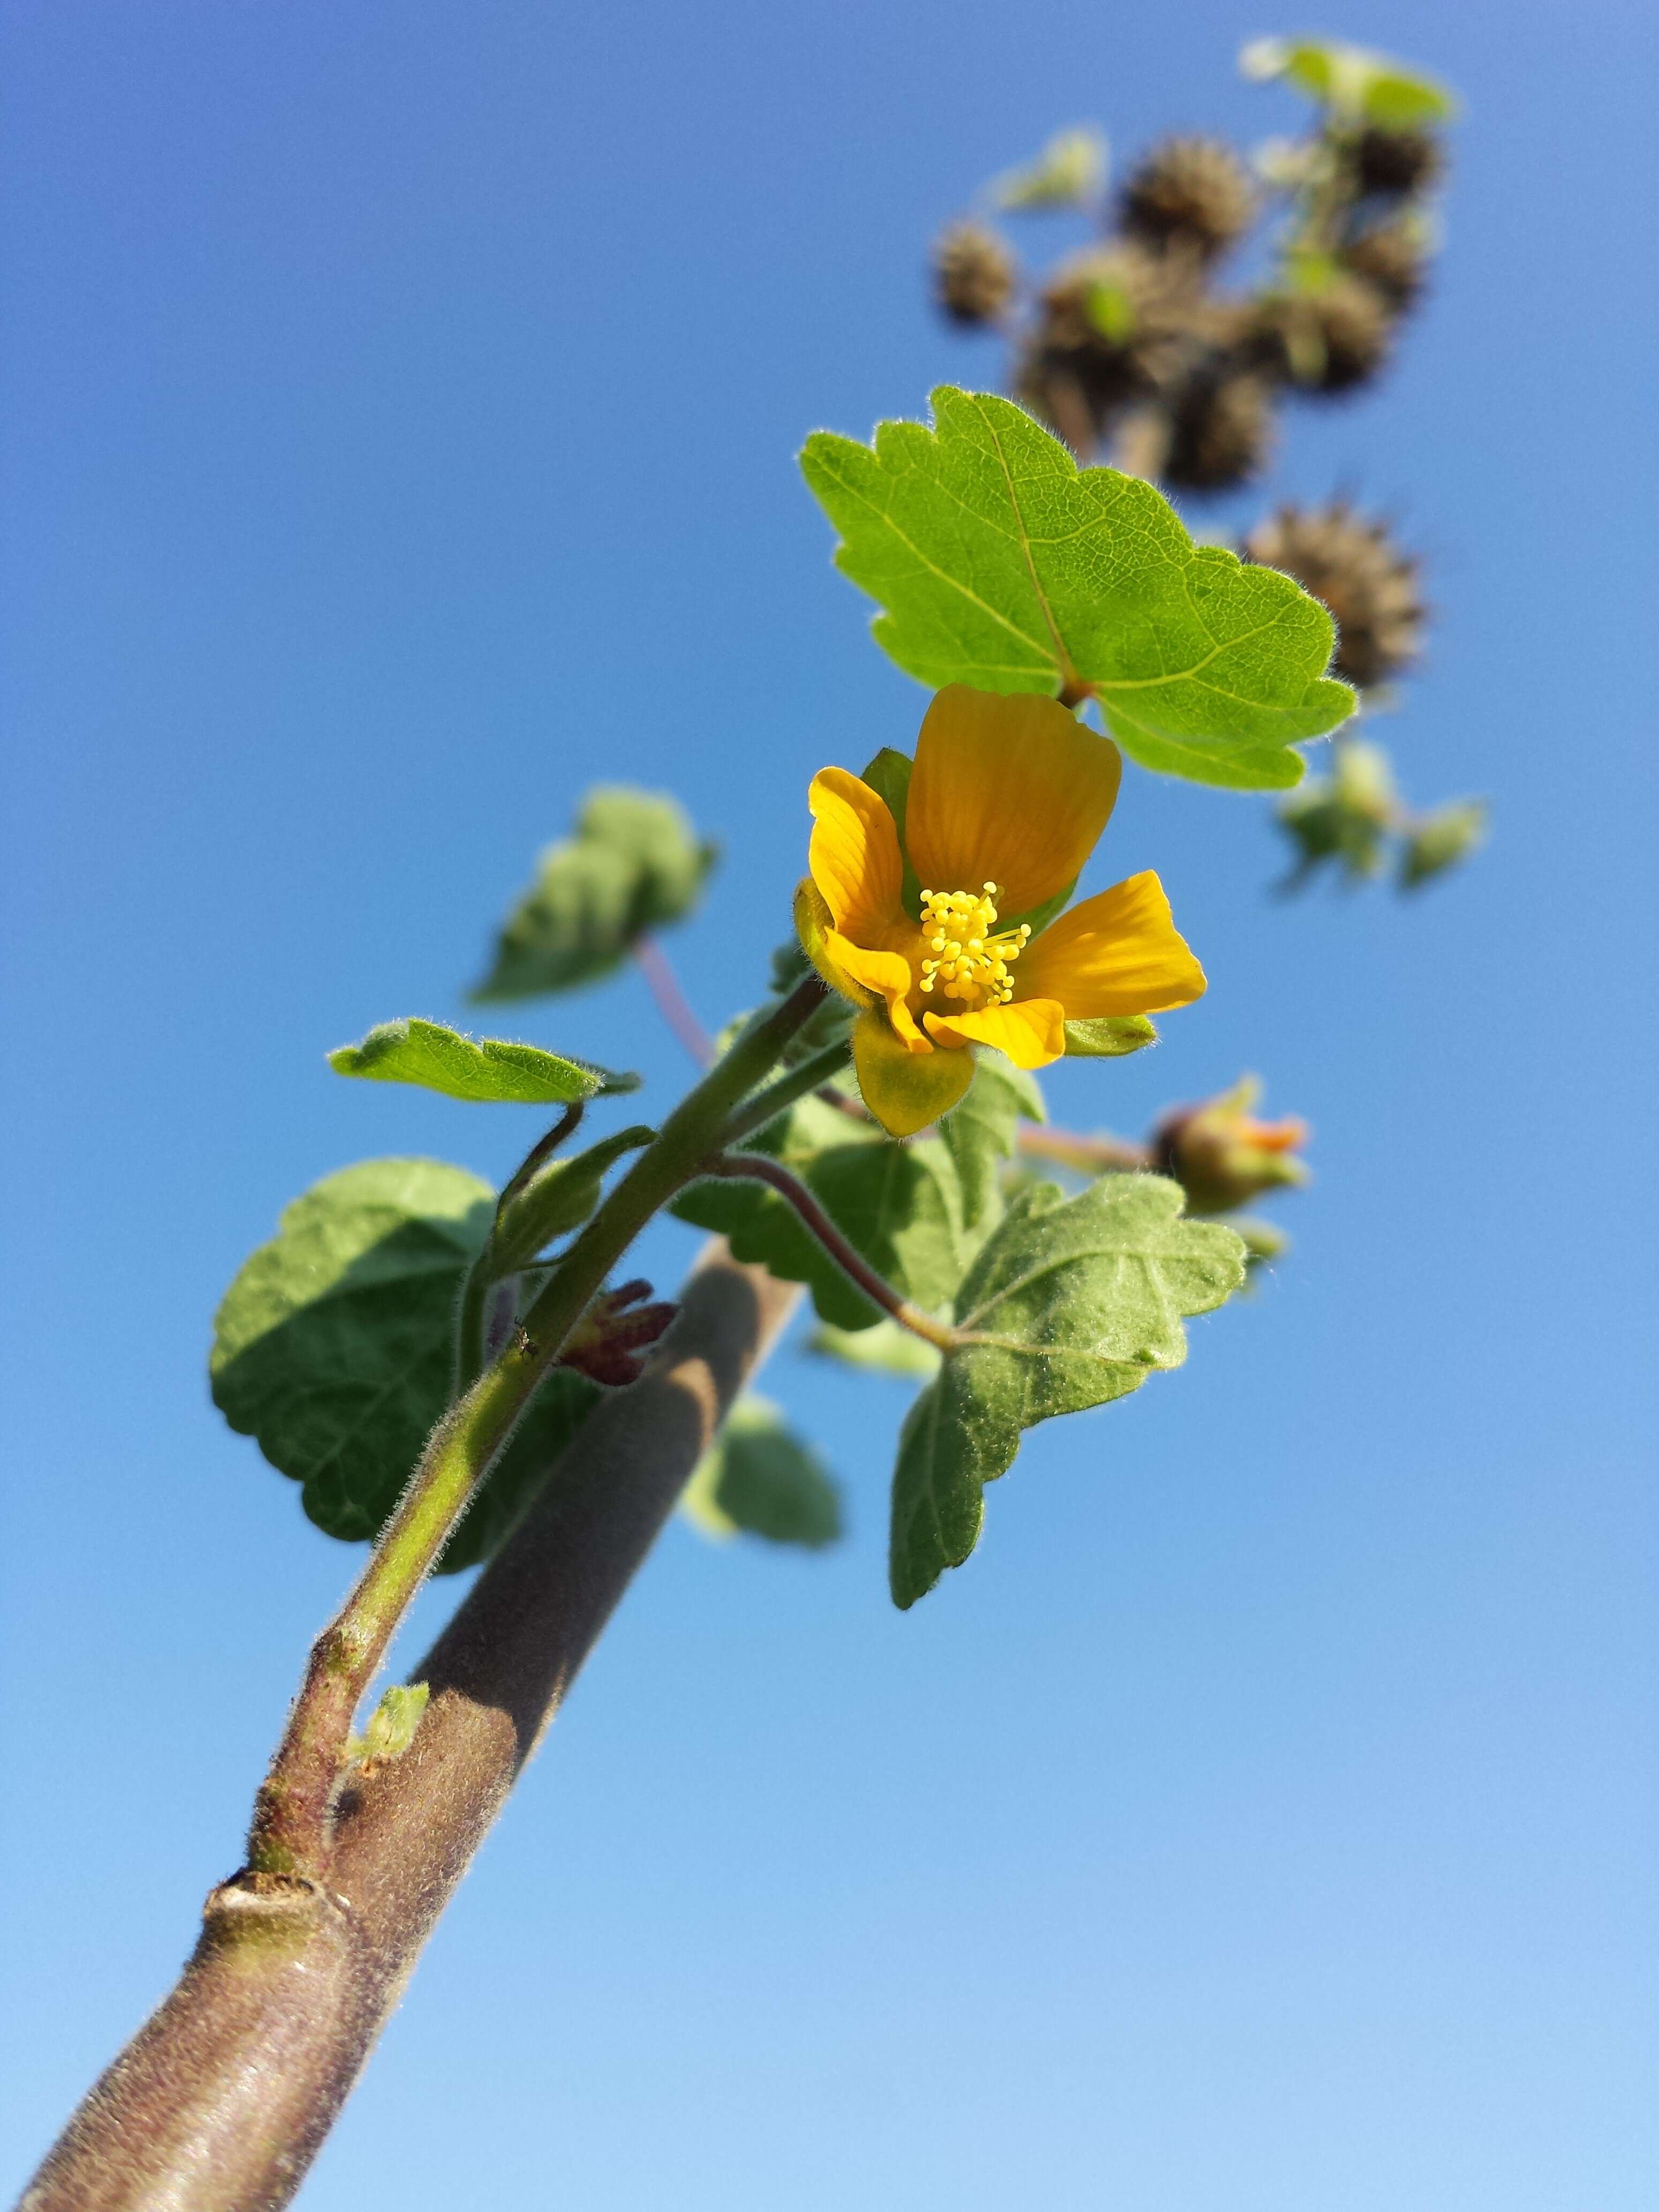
point(1114, 954)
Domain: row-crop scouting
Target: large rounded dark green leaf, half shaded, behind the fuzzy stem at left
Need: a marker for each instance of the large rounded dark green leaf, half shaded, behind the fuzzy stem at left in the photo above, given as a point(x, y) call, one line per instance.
point(335, 1348)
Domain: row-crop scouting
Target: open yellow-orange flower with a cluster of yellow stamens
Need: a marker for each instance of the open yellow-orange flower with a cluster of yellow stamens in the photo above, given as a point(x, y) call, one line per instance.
point(1005, 806)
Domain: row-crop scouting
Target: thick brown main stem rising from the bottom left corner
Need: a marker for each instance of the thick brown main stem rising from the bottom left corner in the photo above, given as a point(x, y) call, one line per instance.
point(225, 2096)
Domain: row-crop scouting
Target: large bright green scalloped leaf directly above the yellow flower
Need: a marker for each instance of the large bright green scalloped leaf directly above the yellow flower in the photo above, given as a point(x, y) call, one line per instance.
point(1005, 565)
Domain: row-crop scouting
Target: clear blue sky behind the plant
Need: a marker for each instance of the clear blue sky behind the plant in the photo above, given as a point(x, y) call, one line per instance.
point(397, 419)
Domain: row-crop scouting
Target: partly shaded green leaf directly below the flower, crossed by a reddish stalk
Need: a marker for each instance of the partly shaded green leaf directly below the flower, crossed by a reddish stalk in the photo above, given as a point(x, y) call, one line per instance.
point(899, 1204)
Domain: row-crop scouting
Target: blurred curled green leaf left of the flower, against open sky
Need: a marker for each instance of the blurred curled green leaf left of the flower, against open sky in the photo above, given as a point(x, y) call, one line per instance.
point(634, 866)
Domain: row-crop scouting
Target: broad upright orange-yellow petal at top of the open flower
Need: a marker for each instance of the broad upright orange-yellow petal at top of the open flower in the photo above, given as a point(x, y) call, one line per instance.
point(1008, 791)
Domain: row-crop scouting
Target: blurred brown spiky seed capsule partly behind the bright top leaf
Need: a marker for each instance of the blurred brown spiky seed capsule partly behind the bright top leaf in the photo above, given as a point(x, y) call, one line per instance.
point(1361, 576)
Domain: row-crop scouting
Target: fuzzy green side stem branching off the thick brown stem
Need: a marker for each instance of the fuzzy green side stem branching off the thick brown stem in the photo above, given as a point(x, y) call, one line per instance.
point(291, 1830)
